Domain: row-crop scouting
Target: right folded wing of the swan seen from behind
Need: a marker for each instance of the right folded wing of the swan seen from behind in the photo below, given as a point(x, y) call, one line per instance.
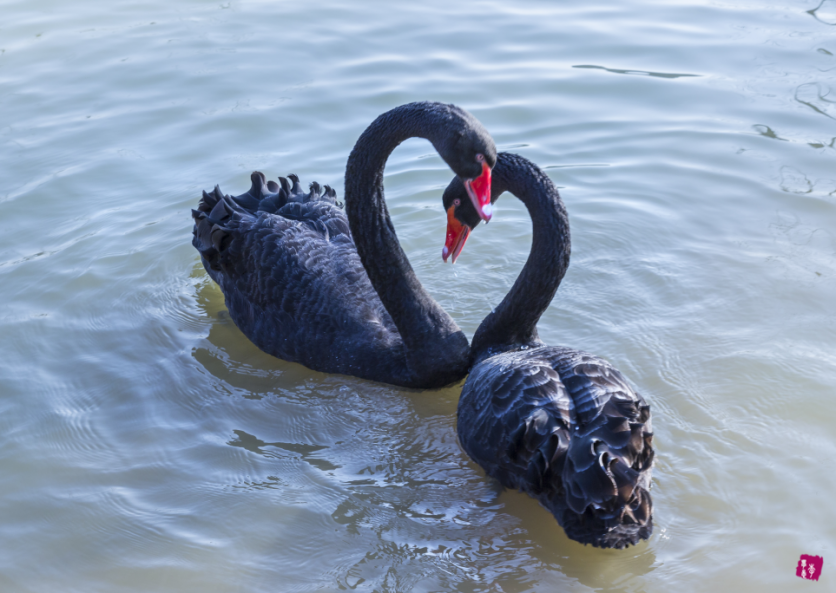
point(606, 473)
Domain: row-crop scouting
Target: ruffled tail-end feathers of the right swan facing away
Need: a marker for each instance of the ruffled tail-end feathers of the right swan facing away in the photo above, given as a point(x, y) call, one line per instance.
point(606, 477)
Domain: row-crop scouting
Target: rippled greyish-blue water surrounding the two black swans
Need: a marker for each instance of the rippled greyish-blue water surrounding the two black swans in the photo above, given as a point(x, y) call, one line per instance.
point(148, 446)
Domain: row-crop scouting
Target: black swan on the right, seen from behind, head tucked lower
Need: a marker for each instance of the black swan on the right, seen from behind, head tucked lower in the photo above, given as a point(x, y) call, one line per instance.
point(560, 424)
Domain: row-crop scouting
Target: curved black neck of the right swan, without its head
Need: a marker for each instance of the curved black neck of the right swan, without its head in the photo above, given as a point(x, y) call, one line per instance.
point(514, 322)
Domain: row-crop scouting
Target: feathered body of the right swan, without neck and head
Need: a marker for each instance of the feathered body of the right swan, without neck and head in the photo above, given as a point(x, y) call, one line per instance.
point(566, 427)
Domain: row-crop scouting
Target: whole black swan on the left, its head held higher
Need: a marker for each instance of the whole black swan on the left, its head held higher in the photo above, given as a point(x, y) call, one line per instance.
point(299, 288)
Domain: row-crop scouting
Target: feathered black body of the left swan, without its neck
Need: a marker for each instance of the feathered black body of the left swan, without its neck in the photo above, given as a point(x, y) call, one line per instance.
point(293, 282)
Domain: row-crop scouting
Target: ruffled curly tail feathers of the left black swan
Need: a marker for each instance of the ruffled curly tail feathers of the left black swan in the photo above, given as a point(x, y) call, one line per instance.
point(215, 215)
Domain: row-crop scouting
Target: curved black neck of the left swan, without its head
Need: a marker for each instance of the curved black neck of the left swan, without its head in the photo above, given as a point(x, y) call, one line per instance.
point(434, 343)
